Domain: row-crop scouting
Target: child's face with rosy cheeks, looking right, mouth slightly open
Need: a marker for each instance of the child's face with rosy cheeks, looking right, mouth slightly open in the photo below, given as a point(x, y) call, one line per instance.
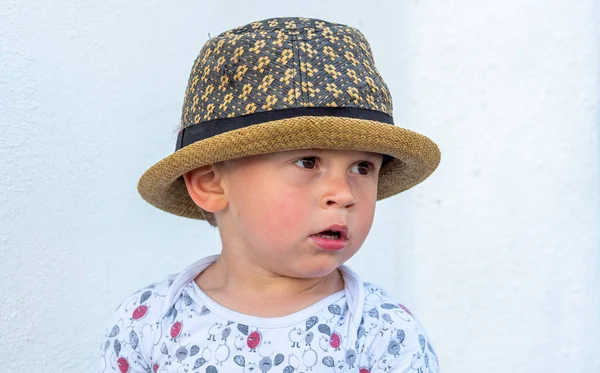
point(277, 202)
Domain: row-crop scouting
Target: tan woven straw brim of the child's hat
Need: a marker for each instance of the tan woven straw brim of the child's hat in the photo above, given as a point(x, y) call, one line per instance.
point(415, 156)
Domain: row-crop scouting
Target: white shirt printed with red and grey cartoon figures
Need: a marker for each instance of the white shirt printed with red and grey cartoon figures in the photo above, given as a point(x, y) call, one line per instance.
point(173, 326)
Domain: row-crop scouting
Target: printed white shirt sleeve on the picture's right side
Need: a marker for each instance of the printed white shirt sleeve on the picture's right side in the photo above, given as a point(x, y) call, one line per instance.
point(402, 345)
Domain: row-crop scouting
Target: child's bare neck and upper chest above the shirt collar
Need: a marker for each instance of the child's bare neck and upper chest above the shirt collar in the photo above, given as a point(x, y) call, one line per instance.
point(238, 283)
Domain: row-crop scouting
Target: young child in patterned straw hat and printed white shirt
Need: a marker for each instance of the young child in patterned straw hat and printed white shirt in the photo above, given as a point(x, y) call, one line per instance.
point(287, 142)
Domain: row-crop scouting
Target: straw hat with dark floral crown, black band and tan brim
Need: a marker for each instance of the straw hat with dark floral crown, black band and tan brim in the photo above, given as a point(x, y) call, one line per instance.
point(286, 84)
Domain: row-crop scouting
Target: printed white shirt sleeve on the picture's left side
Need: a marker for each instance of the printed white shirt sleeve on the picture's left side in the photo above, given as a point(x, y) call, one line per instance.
point(128, 335)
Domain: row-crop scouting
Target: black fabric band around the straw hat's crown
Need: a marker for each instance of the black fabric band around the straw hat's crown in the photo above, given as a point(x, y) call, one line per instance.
point(204, 130)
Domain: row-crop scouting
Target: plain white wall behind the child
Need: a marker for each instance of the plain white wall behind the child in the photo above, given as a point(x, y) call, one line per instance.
point(498, 253)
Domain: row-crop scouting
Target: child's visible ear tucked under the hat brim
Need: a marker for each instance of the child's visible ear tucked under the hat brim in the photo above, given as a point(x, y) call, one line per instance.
point(204, 187)
